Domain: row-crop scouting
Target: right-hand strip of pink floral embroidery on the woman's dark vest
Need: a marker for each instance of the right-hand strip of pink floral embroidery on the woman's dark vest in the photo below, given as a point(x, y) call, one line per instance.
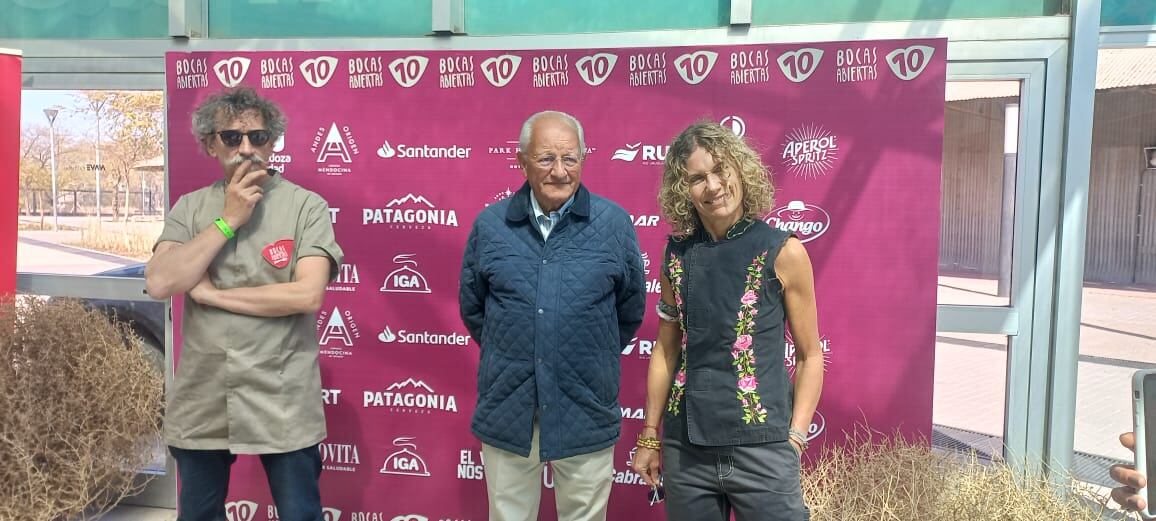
point(753, 411)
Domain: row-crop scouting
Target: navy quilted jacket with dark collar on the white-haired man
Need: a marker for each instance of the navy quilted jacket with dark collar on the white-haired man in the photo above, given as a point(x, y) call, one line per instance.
point(552, 319)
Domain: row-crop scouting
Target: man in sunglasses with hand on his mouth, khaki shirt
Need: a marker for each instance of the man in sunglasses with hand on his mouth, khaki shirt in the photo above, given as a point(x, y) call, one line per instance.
point(253, 254)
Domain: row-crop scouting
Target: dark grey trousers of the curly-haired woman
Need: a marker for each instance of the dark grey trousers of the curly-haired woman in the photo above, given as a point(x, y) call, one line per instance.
point(755, 482)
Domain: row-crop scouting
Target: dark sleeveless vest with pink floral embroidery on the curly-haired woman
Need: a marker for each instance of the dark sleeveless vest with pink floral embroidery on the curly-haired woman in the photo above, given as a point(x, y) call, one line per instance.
point(731, 386)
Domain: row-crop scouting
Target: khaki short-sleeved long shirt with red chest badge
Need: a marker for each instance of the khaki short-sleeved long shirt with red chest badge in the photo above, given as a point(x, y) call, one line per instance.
point(250, 385)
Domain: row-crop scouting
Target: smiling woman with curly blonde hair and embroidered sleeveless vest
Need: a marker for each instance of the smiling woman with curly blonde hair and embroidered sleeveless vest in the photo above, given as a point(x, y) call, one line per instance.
point(733, 427)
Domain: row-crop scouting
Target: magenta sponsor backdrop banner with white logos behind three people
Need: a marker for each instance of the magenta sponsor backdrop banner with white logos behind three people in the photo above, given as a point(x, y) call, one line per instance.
point(410, 147)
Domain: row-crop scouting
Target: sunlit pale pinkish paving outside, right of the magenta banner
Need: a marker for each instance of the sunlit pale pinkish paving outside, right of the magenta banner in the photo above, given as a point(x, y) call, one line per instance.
point(1117, 337)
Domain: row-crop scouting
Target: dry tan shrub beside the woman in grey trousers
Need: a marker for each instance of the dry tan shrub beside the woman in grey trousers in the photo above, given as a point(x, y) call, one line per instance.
point(888, 479)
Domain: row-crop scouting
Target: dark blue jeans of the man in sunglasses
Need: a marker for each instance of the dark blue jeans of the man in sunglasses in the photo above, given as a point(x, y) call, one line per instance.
point(294, 481)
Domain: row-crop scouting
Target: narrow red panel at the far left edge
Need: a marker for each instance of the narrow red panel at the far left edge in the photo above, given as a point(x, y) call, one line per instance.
point(10, 168)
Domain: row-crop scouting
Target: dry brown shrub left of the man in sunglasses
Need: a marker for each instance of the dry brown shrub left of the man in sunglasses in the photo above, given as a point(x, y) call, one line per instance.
point(80, 412)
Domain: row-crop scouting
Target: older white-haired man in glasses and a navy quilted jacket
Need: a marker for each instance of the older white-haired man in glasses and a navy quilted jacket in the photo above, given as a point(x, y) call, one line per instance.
point(552, 289)
